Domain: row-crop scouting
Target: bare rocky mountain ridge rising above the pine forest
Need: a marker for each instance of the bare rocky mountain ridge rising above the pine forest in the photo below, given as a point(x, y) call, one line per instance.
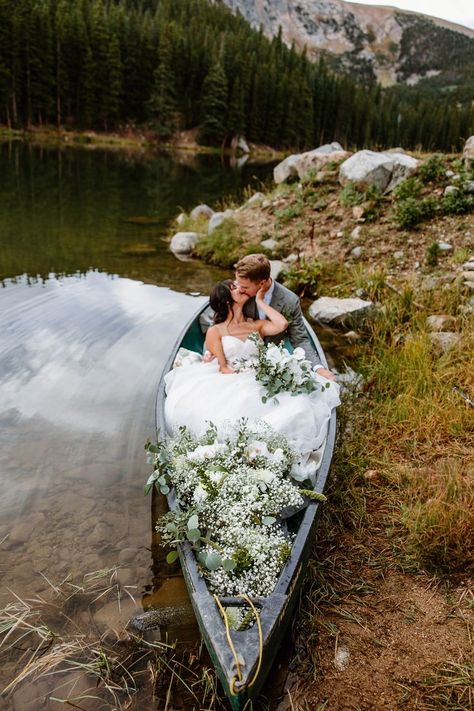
point(373, 41)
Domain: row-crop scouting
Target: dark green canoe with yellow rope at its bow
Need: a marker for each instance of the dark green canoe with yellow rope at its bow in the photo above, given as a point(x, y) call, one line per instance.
point(243, 658)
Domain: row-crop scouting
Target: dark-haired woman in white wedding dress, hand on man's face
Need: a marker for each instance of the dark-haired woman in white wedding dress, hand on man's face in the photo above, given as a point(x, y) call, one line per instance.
point(213, 392)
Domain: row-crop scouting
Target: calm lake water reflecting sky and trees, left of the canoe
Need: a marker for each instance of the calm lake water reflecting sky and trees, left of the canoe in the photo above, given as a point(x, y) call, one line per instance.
point(91, 302)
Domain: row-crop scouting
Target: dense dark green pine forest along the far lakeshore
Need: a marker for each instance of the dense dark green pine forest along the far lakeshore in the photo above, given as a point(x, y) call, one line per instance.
point(173, 65)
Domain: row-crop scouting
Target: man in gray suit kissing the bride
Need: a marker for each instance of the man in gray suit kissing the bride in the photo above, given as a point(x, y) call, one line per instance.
point(253, 273)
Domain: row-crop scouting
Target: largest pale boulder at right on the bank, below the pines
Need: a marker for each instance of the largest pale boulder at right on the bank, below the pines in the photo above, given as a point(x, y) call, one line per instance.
point(384, 170)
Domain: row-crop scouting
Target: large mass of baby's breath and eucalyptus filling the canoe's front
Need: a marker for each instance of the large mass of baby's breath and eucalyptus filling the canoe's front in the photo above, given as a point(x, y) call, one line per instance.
point(233, 492)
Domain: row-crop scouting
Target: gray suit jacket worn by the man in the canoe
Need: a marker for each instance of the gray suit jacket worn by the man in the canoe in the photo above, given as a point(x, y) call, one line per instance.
point(288, 304)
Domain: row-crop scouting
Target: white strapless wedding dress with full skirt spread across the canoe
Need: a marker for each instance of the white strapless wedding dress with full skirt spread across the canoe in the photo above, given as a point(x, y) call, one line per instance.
point(198, 394)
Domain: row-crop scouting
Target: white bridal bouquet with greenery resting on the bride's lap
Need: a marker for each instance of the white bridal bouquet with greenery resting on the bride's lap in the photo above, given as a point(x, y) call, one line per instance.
point(278, 370)
